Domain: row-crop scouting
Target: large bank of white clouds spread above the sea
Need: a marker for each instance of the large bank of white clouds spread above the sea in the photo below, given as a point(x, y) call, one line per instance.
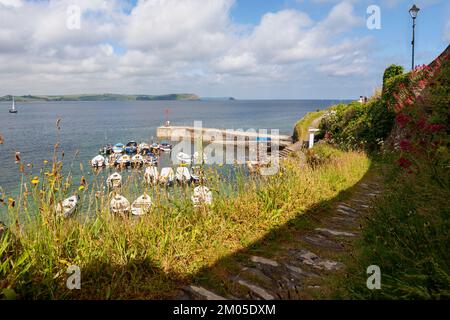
point(168, 44)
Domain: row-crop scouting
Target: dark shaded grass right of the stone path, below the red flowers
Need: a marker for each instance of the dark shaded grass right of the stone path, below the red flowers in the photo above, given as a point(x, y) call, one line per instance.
point(406, 235)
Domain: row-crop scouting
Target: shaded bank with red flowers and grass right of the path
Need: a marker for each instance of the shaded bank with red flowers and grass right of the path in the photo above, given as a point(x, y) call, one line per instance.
point(406, 233)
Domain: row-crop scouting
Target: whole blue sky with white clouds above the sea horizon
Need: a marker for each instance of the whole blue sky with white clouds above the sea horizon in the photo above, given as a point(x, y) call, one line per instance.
point(248, 49)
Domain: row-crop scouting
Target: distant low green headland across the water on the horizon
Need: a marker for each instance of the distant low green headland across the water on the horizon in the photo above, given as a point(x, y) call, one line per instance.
point(102, 97)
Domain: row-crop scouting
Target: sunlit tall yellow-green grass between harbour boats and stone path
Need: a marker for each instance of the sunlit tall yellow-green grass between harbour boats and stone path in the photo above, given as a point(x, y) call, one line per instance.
point(150, 256)
